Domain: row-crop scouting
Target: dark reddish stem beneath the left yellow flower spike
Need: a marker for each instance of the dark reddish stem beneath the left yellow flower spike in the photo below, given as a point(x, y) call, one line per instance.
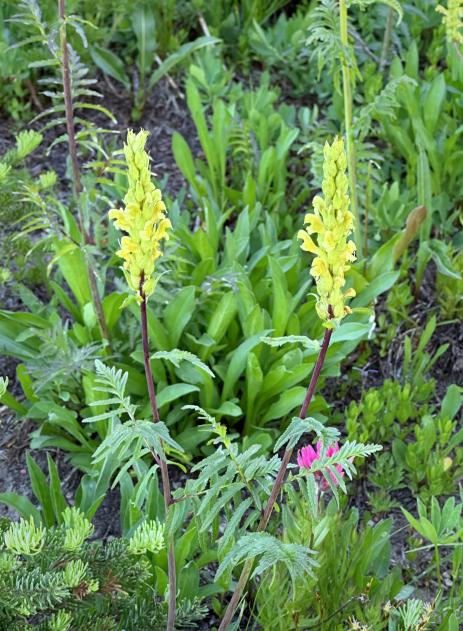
point(163, 463)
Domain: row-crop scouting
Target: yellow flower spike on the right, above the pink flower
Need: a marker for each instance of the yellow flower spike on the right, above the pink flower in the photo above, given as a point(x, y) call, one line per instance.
point(332, 222)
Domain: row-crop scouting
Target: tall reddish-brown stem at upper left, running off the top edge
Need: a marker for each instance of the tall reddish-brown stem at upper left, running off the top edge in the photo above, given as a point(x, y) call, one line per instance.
point(76, 181)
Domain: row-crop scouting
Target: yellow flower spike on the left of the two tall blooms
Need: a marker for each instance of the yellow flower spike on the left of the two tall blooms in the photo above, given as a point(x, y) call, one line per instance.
point(143, 219)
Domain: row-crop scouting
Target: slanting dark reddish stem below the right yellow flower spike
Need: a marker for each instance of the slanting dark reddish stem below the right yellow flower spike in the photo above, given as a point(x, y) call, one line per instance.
point(247, 568)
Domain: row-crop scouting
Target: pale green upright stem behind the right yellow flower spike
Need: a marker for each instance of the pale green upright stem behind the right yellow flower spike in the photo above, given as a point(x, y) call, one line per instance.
point(350, 147)
